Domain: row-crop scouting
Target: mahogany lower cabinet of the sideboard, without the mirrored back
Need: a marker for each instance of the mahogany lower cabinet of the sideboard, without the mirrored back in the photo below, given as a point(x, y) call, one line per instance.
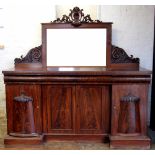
point(94, 103)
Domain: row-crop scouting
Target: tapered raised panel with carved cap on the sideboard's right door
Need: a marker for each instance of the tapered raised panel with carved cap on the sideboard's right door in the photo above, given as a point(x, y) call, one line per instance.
point(129, 115)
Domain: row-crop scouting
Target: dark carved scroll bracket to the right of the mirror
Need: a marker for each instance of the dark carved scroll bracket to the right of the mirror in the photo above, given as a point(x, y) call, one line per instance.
point(118, 55)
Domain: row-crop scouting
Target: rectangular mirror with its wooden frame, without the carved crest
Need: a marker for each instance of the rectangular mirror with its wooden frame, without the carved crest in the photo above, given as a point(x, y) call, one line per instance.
point(66, 45)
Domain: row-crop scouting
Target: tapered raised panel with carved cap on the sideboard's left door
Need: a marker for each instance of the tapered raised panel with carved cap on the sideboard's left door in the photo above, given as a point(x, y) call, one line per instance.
point(23, 117)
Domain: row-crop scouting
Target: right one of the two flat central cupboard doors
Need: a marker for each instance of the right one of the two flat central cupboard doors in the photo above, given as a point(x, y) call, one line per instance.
point(92, 109)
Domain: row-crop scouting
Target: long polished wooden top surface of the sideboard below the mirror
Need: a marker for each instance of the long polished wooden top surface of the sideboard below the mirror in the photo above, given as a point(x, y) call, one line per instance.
point(75, 71)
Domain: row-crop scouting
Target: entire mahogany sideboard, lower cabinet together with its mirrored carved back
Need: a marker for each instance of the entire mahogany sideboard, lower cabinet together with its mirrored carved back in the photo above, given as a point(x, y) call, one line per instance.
point(107, 103)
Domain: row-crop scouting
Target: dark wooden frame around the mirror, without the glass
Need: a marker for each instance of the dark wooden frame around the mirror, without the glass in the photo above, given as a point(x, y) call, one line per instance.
point(107, 26)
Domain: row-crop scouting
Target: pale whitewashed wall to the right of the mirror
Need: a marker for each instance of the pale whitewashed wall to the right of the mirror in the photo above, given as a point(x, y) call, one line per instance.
point(132, 29)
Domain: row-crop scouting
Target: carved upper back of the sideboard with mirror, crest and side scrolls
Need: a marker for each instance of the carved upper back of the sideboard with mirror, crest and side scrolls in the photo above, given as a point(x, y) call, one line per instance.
point(77, 40)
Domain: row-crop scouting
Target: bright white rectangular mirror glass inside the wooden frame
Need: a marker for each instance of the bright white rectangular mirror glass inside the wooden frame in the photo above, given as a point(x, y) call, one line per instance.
point(76, 47)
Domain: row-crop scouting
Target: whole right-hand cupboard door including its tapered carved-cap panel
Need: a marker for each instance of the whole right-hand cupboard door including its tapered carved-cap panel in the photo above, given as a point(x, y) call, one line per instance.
point(129, 109)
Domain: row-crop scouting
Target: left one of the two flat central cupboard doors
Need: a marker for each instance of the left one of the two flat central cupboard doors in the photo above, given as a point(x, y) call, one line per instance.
point(60, 108)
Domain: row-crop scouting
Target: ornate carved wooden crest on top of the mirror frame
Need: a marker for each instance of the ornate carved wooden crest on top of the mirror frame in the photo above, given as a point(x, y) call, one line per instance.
point(76, 17)
